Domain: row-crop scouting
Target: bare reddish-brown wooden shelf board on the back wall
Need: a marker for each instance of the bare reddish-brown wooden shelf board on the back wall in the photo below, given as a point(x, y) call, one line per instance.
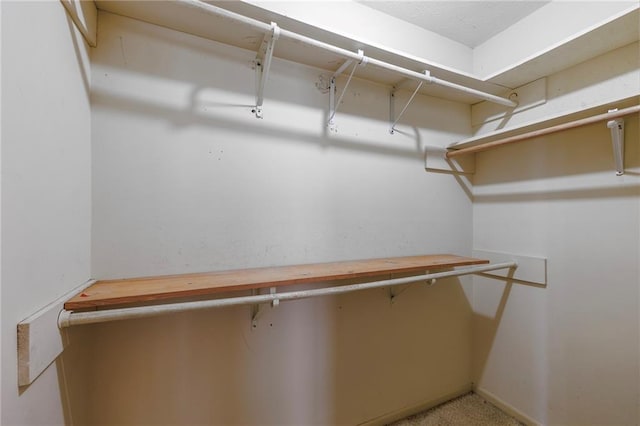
point(108, 293)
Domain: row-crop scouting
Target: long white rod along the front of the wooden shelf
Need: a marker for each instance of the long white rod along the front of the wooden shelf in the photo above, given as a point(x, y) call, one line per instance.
point(68, 318)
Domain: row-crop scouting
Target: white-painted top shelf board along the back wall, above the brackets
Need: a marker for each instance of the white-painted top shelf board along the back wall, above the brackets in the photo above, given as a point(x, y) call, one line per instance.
point(174, 16)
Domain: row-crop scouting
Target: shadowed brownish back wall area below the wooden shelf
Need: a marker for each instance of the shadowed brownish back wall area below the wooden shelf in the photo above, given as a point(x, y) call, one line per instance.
point(333, 360)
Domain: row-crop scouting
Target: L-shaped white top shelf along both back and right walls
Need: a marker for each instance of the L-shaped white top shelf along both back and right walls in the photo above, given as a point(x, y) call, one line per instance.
point(611, 33)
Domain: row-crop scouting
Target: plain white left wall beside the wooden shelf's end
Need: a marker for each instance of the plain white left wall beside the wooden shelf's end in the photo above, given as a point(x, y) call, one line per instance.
point(46, 199)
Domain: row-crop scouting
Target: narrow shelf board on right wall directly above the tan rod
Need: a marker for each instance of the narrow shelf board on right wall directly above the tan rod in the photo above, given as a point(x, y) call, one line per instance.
point(545, 122)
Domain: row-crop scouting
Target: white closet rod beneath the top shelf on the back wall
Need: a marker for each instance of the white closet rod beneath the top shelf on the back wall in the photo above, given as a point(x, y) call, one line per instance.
point(219, 12)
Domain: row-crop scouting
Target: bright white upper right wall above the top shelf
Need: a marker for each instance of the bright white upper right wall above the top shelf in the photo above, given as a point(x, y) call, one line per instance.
point(560, 20)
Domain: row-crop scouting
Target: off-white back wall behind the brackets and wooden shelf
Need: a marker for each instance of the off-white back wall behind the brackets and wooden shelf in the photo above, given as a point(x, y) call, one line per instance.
point(185, 179)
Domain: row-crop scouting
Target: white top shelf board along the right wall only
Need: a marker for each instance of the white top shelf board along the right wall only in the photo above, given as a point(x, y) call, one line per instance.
point(610, 34)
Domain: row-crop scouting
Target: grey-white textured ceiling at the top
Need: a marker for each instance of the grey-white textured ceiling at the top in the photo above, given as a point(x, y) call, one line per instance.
point(468, 22)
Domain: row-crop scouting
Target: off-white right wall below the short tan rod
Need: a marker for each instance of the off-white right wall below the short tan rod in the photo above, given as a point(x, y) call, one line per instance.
point(568, 353)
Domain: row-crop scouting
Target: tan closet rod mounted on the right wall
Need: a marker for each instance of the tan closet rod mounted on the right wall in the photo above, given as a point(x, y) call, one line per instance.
point(553, 129)
